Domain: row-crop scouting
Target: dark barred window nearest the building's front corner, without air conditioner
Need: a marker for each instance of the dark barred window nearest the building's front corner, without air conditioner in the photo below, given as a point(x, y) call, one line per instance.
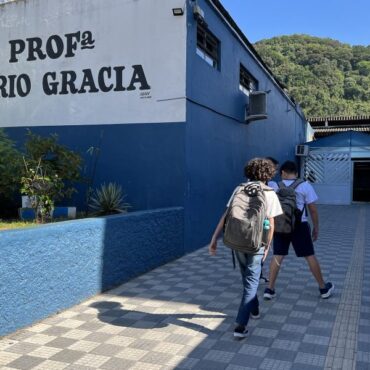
point(208, 47)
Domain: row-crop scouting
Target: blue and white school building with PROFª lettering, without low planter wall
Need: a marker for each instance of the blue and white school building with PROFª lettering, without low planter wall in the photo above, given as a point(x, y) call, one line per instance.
point(171, 91)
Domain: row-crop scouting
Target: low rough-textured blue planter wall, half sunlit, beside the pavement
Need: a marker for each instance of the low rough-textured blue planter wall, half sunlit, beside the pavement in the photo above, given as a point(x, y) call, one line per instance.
point(55, 266)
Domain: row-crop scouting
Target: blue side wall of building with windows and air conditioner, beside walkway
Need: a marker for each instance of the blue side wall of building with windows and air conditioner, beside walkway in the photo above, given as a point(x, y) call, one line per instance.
point(217, 143)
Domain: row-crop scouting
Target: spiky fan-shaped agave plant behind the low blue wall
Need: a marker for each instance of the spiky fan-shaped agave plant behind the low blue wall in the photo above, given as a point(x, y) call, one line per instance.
point(107, 200)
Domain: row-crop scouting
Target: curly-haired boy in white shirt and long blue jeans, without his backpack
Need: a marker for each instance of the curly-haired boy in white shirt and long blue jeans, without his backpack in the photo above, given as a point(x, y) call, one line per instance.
point(258, 171)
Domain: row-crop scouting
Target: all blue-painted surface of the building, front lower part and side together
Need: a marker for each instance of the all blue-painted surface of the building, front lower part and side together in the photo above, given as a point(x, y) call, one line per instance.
point(197, 163)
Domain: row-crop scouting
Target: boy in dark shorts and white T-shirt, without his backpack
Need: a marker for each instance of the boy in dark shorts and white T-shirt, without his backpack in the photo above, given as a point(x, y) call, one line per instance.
point(301, 238)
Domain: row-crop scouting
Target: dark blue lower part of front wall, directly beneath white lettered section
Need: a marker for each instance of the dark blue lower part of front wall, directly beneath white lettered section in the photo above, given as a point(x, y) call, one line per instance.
point(146, 159)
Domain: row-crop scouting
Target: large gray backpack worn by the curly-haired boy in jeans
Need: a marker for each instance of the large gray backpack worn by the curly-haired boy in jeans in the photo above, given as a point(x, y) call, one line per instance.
point(243, 229)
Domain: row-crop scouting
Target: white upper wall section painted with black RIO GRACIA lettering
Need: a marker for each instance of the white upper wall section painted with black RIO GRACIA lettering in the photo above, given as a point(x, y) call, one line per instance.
point(125, 33)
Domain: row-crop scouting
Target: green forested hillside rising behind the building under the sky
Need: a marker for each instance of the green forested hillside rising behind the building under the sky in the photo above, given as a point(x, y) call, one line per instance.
point(324, 76)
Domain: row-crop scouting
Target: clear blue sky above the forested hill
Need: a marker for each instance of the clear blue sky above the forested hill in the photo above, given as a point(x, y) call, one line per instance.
point(347, 21)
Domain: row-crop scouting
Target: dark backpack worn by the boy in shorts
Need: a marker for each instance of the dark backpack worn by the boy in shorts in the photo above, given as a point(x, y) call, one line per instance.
point(285, 223)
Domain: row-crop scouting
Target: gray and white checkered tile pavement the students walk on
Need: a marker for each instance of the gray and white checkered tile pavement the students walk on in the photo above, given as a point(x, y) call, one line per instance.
point(181, 315)
